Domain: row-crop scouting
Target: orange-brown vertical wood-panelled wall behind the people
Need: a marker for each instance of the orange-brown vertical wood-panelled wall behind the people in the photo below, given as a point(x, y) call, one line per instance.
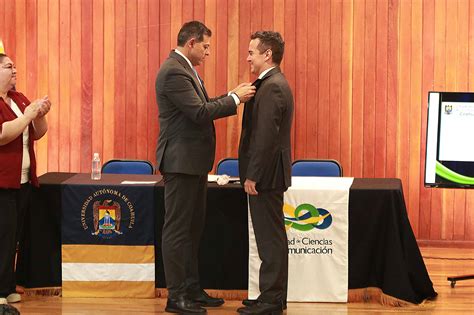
point(360, 71)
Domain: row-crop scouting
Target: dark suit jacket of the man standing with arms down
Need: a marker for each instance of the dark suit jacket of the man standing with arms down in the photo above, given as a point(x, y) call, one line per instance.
point(265, 142)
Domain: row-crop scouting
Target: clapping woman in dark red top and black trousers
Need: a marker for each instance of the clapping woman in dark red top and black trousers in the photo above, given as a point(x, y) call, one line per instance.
point(21, 123)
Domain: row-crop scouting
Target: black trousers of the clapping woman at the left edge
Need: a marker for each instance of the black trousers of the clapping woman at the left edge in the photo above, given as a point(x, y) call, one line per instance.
point(14, 203)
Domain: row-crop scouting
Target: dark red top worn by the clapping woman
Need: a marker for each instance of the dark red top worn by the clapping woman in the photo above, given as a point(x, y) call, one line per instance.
point(11, 154)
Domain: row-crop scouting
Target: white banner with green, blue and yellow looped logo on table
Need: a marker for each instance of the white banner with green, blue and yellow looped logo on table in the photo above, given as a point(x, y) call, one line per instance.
point(317, 226)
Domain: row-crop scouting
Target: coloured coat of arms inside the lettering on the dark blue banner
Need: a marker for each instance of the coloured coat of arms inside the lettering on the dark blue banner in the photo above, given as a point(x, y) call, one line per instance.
point(106, 217)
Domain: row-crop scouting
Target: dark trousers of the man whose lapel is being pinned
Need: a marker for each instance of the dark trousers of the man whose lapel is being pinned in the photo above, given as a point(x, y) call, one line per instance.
point(266, 211)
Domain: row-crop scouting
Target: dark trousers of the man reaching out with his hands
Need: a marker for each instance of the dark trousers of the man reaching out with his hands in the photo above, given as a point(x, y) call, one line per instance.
point(185, 214)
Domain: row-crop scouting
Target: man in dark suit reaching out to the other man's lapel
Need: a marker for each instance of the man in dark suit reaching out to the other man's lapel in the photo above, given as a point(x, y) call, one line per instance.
point(185, 155)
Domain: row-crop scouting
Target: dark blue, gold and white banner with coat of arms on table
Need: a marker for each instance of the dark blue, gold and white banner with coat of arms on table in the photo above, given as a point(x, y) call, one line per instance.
point(107, 240)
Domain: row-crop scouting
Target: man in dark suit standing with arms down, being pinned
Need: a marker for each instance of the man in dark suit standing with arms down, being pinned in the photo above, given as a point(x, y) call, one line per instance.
point(265, 168)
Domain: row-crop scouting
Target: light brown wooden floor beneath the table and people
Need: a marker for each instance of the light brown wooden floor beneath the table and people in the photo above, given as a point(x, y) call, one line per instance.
point(439, 261)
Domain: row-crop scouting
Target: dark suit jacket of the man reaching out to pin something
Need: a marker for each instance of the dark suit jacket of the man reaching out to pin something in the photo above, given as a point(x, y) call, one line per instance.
point(187, 138)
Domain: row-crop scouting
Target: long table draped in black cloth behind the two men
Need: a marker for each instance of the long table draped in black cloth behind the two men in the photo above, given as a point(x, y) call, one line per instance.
point(383, 252)
